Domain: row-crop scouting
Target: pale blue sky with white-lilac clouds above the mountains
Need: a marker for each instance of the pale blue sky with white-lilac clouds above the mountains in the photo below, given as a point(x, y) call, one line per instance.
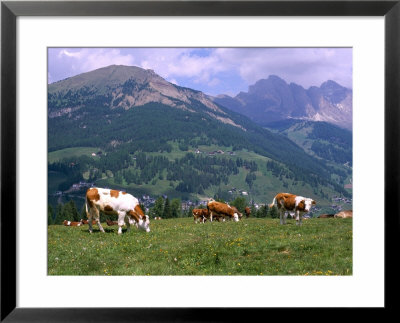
point(212, 70)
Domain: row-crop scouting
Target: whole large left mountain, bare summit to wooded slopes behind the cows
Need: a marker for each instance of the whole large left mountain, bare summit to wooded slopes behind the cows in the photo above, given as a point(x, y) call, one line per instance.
point(171, 144)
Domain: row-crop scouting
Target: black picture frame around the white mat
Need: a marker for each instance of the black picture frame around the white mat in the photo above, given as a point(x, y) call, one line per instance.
point(10, 10)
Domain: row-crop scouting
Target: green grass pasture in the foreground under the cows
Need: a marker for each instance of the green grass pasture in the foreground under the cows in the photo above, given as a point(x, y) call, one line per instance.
point(180, 247)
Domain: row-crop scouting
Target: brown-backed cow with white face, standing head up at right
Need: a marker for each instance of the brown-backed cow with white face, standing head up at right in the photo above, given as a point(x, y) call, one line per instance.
point(287, 202)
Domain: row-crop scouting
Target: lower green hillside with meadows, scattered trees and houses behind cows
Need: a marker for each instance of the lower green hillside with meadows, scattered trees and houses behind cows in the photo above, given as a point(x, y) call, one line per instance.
point(179, 173)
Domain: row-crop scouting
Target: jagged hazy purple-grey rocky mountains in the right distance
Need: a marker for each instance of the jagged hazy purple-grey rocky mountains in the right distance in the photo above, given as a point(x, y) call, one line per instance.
point(272, 99)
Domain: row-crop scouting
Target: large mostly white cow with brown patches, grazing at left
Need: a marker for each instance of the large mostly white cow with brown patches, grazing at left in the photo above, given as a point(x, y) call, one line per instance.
point(115, 202)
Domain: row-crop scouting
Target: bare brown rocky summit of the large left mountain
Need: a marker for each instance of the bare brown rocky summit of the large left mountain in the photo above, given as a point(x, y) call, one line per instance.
point(120, 86)
